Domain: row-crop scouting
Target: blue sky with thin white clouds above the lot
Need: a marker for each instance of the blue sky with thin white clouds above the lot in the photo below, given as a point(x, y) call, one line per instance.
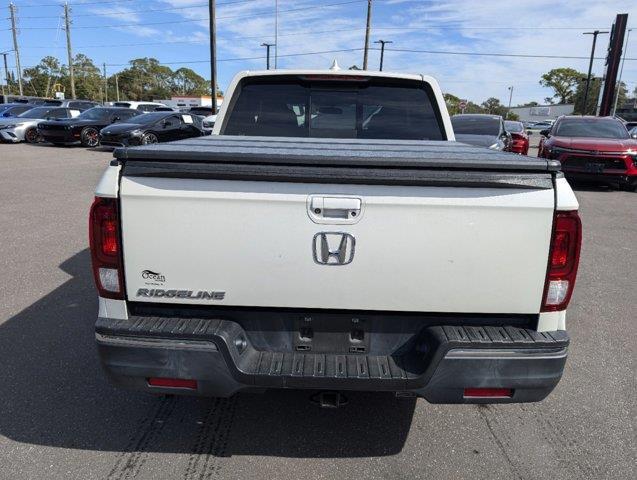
point(429, 37)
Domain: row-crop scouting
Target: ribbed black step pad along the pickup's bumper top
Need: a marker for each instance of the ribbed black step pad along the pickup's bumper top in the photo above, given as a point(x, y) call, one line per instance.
point(412, 368)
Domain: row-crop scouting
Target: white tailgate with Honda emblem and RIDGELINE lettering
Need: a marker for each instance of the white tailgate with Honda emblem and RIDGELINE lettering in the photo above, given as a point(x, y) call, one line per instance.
point(406, 248)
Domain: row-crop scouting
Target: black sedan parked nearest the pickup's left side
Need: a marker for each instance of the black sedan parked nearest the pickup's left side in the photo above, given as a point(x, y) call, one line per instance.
point(152, 127)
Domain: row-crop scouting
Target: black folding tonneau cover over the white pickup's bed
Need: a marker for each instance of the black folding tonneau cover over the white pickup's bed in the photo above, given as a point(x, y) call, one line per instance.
point(318, 160)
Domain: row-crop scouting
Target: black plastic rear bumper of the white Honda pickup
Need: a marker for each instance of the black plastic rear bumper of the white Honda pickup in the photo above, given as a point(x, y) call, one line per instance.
point(439, 365)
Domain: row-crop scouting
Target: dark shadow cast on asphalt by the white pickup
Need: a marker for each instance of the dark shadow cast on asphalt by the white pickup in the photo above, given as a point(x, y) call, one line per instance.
point(55, 394)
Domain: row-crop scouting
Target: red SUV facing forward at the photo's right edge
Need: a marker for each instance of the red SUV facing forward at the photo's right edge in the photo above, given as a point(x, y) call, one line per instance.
point(592, 149)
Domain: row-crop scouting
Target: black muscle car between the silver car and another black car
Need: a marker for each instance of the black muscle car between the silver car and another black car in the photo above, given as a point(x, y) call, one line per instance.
point(85, 128)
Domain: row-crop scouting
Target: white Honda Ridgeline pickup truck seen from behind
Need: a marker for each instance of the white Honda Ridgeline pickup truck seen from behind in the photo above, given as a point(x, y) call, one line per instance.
point(332, 235)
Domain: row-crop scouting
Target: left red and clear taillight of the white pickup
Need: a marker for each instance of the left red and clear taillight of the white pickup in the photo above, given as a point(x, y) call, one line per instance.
point(106, 248)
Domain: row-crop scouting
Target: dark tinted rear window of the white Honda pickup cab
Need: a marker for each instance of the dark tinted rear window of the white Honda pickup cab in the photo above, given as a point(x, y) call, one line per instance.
point(372, 108)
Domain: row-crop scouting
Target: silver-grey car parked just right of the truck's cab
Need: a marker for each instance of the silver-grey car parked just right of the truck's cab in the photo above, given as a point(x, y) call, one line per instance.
point(482, 130)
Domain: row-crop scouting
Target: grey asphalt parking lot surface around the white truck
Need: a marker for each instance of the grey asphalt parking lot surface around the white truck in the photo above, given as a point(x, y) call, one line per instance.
point(60, 419)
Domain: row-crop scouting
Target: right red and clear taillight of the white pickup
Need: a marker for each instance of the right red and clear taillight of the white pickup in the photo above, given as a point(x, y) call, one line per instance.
point(563, 261)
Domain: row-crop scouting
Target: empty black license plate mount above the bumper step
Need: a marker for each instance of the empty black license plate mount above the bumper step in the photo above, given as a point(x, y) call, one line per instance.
point(331, 335)
